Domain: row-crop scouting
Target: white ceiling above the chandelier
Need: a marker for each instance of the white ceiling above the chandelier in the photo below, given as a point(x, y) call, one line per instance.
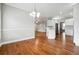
point(46, 9)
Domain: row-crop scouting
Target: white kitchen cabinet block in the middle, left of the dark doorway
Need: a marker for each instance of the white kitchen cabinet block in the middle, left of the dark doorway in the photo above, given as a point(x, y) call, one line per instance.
point(50, 30)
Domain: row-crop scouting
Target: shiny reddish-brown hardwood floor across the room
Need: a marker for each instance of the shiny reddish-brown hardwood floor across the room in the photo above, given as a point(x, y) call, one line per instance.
point(41, 46)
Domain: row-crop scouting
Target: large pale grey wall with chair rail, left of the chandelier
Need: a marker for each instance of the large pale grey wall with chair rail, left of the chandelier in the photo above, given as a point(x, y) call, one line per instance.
point(17, 24)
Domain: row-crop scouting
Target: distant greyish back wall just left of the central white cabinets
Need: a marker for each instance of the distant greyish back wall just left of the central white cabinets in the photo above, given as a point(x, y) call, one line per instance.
point(41, 26)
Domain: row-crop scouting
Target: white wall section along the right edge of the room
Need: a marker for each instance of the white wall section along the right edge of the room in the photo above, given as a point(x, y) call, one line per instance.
point(76, 24)
